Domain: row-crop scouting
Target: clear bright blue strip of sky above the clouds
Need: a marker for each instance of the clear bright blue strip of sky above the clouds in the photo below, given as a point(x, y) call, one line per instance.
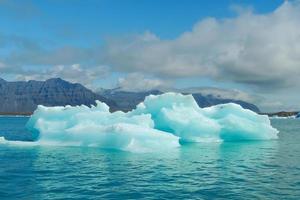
point(61, 21)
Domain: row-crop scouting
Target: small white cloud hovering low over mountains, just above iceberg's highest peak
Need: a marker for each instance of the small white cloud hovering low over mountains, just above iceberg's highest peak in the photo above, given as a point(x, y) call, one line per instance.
point(138, 82)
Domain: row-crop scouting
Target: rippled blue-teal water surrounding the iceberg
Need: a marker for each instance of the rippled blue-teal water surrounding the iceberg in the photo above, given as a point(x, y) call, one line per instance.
point(243, 170)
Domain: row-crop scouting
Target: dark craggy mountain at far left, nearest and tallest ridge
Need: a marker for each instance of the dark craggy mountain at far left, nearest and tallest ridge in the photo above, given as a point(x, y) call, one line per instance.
point(22, 97)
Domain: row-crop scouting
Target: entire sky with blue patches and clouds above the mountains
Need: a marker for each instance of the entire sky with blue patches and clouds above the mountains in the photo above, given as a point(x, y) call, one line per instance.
point(250, 48)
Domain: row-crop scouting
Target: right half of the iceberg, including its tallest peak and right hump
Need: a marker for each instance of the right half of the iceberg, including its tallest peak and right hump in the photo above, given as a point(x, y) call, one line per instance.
point(180, 115)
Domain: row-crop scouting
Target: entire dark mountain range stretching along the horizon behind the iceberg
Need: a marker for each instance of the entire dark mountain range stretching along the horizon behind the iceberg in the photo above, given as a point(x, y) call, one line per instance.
point(22, 97)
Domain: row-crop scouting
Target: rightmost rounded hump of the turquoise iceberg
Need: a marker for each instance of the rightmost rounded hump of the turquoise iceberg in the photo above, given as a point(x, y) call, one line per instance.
point(241, 124)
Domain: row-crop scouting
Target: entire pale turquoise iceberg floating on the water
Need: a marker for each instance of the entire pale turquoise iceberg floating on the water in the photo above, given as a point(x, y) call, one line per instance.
point(157, 123)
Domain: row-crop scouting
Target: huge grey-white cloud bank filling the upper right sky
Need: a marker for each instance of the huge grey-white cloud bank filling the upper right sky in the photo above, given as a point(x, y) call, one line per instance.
point(260, 50)
